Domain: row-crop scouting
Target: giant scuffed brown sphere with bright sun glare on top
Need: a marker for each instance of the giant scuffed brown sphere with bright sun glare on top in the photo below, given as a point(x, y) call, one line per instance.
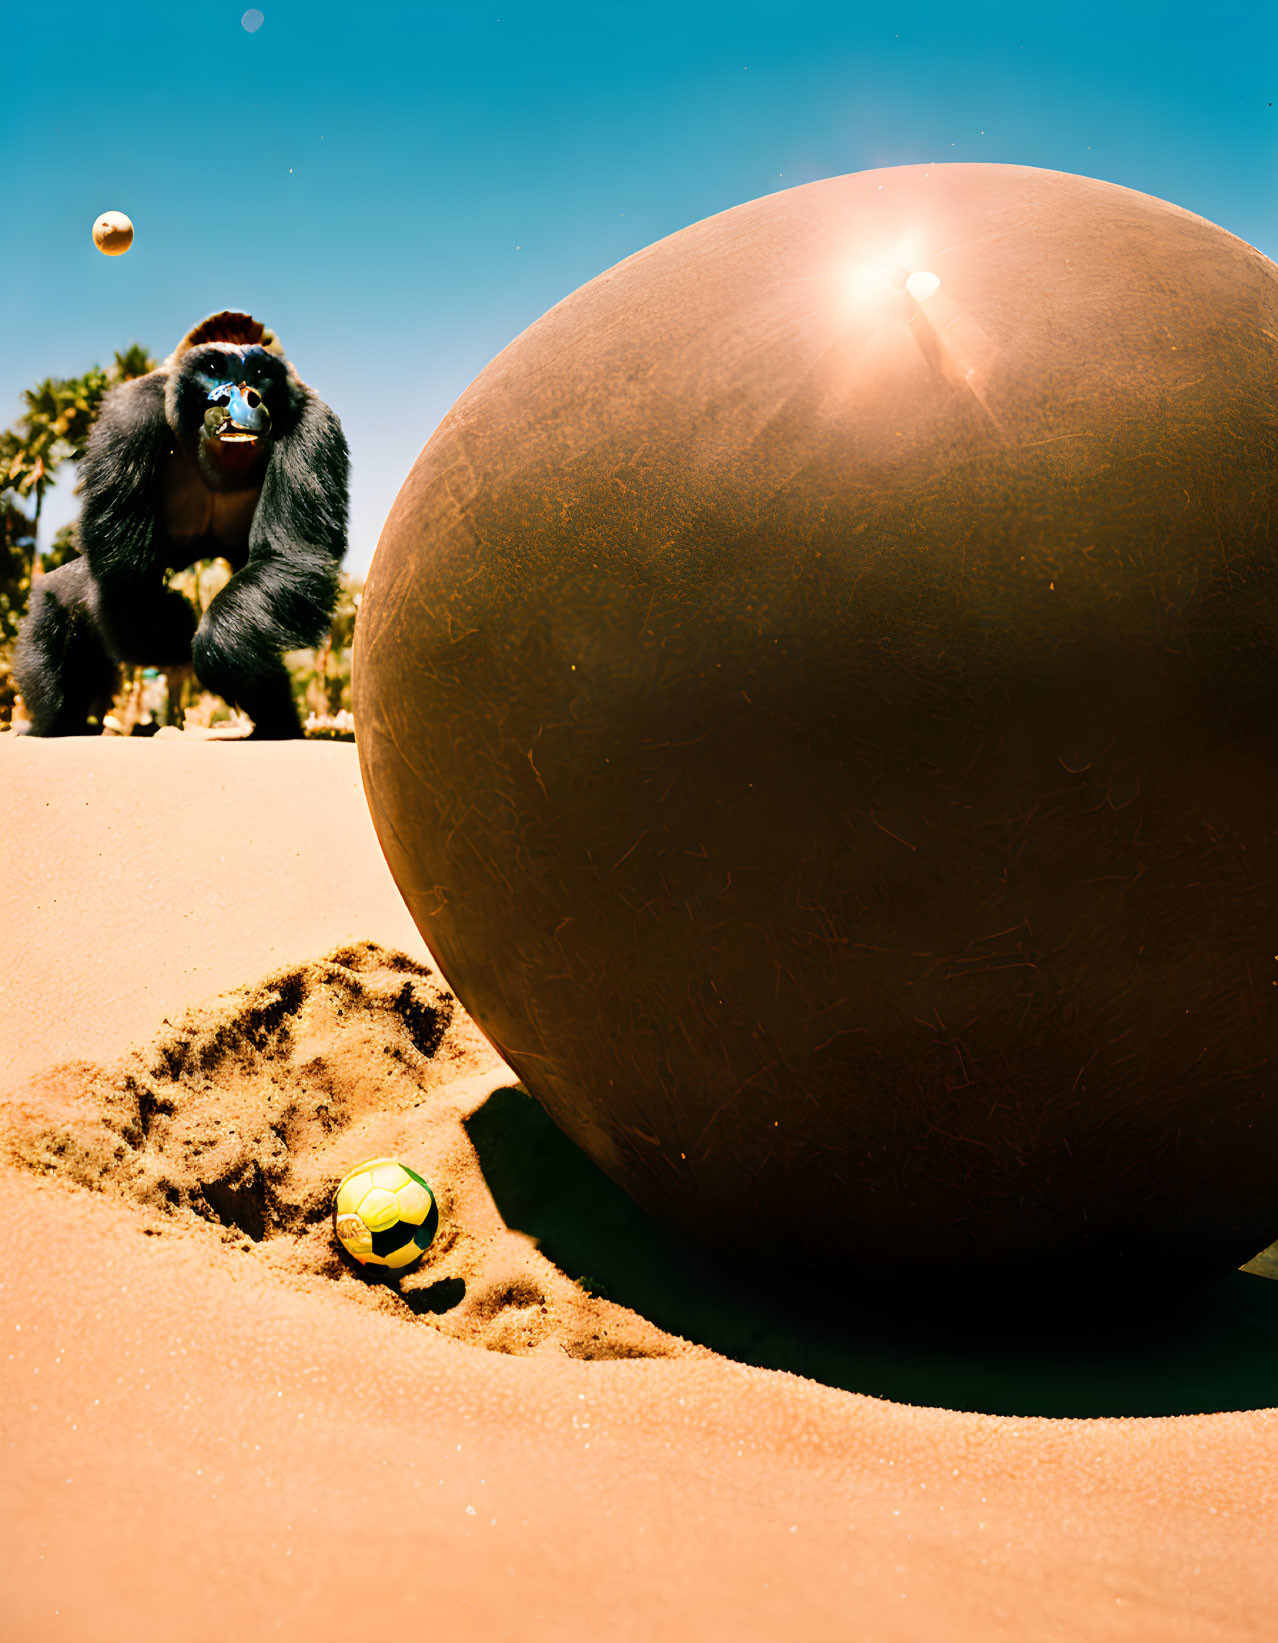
point(827, 734)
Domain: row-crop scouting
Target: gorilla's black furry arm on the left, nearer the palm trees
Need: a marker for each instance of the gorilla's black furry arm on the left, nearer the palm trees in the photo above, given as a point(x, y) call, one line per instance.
point(121, 479)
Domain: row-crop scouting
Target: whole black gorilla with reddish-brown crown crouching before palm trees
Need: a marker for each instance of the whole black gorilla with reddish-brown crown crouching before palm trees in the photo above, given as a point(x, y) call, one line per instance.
point(219, 453)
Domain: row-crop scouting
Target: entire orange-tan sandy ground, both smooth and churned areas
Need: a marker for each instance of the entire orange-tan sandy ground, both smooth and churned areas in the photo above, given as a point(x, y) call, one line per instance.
point(214, 1425)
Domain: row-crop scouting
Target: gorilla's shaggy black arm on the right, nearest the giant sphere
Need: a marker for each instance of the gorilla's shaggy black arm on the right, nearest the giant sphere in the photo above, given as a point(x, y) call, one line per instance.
point(285, 597)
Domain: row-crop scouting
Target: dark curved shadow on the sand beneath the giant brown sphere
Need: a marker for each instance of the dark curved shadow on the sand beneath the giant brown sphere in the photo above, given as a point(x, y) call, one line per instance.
point(1213, 1348)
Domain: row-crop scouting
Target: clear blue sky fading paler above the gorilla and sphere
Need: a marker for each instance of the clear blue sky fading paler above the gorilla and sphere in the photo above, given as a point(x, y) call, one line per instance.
point(398, 190)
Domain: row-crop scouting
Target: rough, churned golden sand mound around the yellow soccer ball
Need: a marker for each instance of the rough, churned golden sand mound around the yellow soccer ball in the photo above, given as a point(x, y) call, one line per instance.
point(241, 1120)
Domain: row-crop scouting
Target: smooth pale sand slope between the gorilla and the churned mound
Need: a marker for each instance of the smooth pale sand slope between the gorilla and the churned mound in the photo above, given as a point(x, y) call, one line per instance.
point(136, 890)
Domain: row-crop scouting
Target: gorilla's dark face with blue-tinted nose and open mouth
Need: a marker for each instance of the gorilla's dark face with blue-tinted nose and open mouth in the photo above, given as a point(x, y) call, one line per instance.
point(229, 403)
